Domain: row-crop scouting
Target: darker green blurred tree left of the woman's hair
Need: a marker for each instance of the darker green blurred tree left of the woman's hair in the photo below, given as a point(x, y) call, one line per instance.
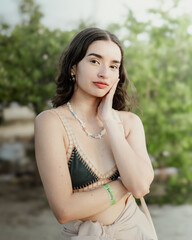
point(29, 55)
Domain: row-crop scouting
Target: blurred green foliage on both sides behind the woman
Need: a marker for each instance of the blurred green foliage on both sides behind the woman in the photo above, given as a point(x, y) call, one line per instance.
point(158, 63)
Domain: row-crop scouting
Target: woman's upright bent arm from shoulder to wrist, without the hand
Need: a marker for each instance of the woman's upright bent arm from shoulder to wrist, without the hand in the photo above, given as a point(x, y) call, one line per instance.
point(130, 154)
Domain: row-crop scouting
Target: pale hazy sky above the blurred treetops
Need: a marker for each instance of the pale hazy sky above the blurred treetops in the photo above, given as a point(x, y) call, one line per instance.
point(66, 14)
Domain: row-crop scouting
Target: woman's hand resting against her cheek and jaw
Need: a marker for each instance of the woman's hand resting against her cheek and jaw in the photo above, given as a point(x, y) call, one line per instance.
point(104, 110)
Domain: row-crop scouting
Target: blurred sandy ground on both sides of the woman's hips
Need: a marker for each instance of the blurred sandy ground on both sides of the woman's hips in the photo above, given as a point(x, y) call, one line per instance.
point(24, 214)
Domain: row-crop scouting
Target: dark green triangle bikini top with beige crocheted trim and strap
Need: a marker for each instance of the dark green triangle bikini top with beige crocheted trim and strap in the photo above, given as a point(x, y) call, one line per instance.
point(84, 175)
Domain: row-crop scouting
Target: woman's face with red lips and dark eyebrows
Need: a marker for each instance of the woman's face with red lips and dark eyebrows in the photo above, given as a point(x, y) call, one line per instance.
point(99, 69)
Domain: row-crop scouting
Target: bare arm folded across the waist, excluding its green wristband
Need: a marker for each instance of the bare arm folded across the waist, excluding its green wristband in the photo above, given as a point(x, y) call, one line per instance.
point(52, 164)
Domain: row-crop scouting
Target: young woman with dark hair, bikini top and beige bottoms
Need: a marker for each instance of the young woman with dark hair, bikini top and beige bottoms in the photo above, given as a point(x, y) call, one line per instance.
point(90, 152)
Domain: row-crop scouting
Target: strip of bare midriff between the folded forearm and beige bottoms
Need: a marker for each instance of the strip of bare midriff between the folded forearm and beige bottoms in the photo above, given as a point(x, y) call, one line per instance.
point(108, 216)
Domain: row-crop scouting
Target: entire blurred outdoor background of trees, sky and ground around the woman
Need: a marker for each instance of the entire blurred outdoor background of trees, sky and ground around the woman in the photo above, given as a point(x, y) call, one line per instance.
point(157, 40)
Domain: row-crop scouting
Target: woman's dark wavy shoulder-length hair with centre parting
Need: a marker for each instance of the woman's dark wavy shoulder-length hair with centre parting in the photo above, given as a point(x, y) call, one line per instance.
point(74, 53)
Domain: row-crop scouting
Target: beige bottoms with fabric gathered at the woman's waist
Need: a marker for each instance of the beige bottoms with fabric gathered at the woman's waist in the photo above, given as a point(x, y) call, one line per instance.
point(132, 224)
